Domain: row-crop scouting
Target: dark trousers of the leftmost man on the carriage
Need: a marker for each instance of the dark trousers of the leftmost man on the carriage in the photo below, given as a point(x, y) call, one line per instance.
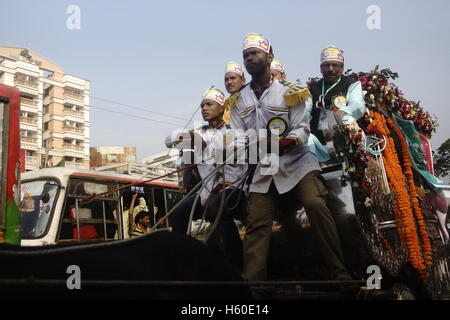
point(225, 237)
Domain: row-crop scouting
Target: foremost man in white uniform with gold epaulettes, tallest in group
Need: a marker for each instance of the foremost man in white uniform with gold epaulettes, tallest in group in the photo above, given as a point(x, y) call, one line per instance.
point(270, 105)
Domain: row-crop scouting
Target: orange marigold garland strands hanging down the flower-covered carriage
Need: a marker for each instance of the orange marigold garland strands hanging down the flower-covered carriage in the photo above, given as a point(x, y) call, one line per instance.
point(406, 208)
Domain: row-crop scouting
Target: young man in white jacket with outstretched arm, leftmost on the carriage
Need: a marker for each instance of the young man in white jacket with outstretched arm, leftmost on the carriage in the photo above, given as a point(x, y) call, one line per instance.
point(226, 180)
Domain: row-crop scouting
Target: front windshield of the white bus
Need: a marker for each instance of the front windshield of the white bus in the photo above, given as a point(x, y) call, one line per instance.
point(36, 205)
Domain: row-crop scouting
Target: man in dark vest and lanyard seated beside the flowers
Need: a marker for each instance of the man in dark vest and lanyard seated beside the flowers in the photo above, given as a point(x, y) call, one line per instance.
point(337, 92)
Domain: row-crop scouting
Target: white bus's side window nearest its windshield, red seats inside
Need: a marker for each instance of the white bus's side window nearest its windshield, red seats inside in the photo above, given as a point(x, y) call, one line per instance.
point(94, 220)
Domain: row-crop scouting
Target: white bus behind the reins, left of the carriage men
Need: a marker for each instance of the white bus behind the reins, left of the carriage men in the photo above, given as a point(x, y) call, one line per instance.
point(53, 208)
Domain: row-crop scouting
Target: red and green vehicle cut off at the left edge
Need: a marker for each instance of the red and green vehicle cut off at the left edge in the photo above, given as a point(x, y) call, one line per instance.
point(10, 165)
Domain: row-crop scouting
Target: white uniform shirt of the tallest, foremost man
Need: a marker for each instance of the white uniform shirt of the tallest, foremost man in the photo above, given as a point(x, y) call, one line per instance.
point(253, 113)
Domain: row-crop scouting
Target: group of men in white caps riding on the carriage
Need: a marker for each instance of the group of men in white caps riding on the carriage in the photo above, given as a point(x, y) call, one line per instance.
point(249, 191)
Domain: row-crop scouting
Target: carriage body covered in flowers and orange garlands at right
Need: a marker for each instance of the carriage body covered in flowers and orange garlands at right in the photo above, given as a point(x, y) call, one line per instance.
point(384, 161)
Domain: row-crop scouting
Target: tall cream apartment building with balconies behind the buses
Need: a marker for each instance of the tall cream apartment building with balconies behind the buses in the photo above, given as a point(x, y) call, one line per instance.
point(54, 118)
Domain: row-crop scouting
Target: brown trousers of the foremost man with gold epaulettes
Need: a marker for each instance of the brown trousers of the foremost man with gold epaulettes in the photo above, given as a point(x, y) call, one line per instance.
point(310, 193)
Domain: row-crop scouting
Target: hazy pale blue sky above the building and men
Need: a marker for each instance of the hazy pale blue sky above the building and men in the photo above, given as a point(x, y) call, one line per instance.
point(161, 55)
